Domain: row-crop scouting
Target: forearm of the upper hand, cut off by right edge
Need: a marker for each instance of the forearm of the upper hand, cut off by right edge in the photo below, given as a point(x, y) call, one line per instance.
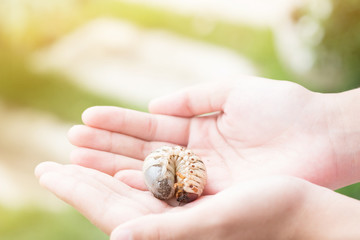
point(343, 119)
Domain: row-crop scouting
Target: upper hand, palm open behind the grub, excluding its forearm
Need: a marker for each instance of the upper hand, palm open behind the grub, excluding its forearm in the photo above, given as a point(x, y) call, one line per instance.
point(263, 127)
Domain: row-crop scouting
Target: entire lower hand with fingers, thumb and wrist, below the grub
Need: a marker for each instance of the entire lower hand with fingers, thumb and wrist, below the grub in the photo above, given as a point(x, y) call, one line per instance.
point(266, 208)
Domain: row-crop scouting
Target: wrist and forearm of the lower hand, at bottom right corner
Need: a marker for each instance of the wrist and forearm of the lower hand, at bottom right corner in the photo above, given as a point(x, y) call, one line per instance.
point(328, 215)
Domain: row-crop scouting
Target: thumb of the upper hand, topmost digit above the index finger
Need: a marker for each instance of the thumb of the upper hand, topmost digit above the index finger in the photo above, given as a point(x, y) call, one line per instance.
point(193, 101)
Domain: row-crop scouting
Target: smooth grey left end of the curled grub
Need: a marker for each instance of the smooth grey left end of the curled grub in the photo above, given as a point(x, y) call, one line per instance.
point(161, 186)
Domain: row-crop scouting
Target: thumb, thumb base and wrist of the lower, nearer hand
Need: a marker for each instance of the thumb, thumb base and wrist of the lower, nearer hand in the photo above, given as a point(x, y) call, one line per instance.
point(278, 208)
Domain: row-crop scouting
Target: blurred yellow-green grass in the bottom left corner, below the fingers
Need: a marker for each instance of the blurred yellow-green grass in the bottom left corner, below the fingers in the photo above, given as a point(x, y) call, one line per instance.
point(34, 223)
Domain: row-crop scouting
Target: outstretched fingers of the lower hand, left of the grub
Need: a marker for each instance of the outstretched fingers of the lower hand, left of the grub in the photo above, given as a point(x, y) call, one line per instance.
point(92, 193)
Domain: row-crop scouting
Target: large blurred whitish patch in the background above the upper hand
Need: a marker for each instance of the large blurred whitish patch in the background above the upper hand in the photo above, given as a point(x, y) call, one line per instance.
point(118, 59)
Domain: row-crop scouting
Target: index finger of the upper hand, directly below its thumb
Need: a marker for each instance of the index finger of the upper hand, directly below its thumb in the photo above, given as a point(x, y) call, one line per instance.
point(149, 127)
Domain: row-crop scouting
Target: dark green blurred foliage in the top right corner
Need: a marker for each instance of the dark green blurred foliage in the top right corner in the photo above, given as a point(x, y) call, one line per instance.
point(340, 46)
